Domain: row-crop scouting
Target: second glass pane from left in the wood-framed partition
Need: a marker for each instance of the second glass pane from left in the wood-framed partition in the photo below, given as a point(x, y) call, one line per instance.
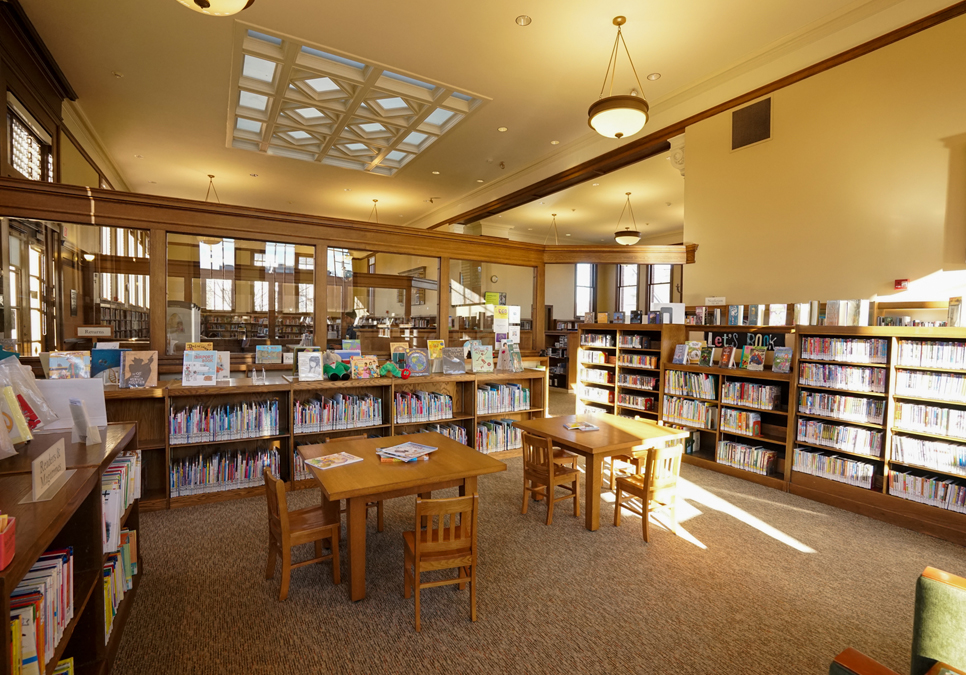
point(238, 294)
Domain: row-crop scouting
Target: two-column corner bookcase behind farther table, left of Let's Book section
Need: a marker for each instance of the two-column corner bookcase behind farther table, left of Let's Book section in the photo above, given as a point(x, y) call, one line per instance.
point(619, 367)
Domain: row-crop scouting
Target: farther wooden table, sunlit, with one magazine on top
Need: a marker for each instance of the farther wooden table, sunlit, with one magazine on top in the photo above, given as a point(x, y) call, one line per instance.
point(616, 436)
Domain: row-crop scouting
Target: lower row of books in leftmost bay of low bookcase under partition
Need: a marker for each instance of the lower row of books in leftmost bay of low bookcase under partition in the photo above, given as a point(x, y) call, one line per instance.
point(224, 470)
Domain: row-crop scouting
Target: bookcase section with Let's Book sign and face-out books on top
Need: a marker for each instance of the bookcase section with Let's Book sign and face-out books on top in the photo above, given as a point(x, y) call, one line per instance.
point(733, 394)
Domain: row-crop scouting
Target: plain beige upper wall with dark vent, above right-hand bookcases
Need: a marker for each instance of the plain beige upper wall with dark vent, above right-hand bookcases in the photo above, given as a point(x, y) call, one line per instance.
point(848, 195)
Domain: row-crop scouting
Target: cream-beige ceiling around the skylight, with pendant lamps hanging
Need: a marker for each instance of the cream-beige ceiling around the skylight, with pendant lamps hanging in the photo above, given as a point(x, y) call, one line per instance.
point(172, 107)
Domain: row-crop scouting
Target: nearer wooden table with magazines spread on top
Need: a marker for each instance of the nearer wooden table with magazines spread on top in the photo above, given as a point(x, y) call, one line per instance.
point(452, 465)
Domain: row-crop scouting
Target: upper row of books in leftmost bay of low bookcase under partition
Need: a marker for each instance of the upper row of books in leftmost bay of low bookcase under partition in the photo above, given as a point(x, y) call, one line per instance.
point(203, 424)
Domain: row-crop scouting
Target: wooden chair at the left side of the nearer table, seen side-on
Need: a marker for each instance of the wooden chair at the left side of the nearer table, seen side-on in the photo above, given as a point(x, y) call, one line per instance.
point(291, 528)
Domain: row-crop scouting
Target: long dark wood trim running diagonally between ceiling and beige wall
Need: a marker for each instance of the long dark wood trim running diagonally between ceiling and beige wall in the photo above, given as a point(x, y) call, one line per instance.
point(657, 142)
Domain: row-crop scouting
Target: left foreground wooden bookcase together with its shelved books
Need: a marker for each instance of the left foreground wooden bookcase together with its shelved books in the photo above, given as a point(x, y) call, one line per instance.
point(76, 561)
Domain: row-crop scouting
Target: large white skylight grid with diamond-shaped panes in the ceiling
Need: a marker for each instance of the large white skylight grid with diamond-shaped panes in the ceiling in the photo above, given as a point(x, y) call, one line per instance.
point(312, 104)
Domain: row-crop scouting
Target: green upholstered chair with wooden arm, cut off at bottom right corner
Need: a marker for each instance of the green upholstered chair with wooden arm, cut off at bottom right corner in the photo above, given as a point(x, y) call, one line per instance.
point(938, 633)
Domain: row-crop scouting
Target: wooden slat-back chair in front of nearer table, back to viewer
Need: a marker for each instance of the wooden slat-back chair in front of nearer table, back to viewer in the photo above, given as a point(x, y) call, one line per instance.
point(442, 545)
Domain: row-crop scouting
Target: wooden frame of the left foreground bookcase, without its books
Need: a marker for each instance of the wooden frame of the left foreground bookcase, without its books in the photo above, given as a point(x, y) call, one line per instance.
point(72, 518)
